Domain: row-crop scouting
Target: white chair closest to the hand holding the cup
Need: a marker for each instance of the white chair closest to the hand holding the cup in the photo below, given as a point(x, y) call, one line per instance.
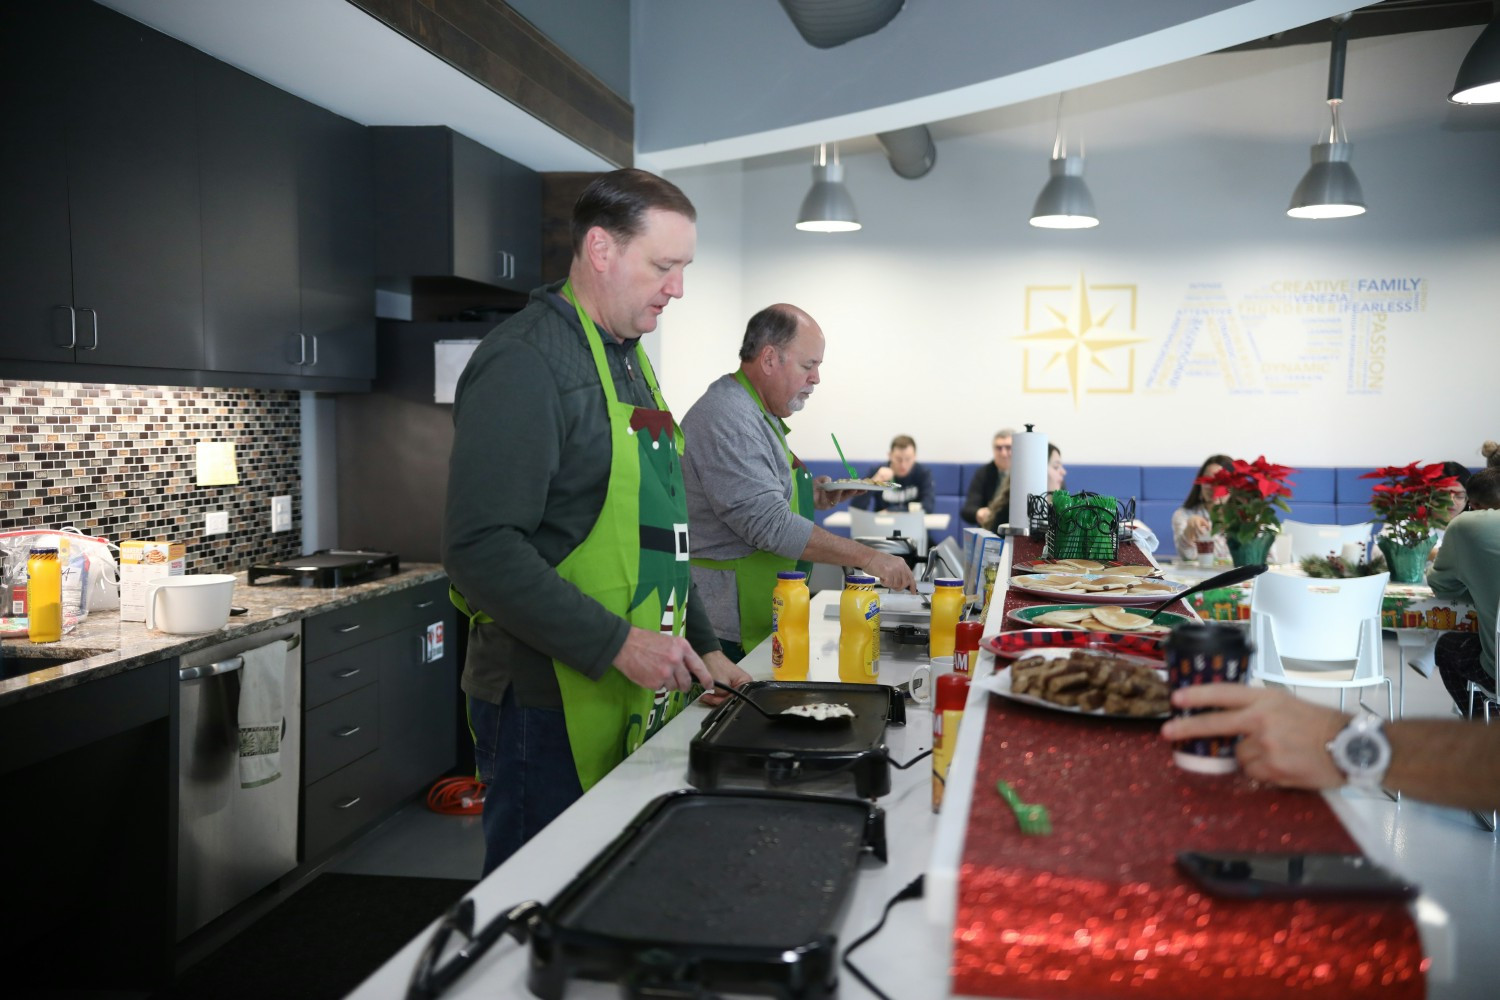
point(1319, 633)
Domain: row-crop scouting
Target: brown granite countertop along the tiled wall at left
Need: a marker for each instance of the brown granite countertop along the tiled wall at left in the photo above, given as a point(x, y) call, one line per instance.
point(103, 645)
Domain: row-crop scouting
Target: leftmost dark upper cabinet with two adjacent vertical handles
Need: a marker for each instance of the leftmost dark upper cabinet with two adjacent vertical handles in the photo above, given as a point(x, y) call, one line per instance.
point(101, 221)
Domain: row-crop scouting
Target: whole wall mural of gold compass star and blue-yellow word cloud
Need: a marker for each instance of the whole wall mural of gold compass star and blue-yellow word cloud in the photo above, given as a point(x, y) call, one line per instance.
point(1283, 338)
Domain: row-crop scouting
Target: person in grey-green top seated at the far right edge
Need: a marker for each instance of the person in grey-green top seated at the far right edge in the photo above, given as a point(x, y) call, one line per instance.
point(1469, 570)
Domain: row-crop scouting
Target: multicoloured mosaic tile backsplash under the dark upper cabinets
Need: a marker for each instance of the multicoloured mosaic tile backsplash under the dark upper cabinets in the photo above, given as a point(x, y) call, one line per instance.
point(121, 461)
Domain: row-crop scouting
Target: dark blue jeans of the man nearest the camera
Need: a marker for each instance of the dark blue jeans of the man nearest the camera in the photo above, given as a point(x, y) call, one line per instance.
point(527, 767)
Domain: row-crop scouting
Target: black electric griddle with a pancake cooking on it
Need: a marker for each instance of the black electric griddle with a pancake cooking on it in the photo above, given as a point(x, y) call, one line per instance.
point(740, 747)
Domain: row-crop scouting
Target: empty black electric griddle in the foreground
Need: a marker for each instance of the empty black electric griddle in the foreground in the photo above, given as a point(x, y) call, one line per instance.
point(712, 891)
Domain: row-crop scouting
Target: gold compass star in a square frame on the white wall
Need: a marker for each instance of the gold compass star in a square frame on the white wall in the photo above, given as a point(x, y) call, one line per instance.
point(1081, 340)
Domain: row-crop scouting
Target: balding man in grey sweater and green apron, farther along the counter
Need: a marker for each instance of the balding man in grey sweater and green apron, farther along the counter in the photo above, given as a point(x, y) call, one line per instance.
point(751, 500)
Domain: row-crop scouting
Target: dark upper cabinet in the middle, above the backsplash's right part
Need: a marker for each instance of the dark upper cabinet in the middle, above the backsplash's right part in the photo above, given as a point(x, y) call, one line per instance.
point(289, 233)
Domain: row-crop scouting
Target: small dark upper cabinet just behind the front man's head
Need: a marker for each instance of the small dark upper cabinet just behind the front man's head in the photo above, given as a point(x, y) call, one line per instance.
point(448, 206)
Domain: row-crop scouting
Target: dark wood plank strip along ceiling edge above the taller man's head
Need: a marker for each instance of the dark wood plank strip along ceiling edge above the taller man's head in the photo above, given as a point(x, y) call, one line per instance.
point(490, 43)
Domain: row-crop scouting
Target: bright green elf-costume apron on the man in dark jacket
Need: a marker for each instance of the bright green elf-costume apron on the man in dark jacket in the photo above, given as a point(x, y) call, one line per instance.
point(634, 563)
